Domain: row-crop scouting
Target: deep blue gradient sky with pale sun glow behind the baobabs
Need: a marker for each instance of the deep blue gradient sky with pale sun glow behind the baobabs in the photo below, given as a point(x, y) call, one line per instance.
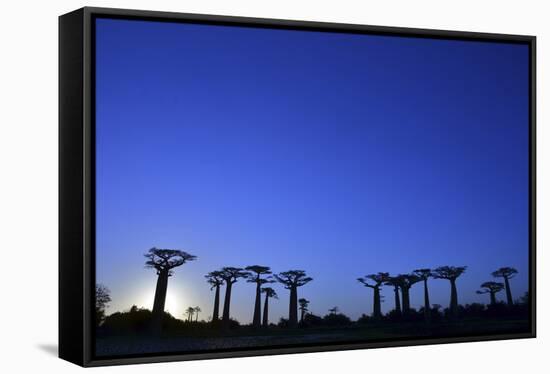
point(339, 154)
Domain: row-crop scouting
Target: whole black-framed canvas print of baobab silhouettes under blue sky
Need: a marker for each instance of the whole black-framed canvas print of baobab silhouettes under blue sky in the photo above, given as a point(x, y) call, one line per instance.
point(237, 186)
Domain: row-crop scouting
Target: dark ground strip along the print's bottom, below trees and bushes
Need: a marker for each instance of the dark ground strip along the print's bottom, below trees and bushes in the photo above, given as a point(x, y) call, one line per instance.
point(249, 338)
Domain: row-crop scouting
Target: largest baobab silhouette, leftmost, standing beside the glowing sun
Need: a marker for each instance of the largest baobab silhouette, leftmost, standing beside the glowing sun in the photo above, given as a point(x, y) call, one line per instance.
point(163, 261)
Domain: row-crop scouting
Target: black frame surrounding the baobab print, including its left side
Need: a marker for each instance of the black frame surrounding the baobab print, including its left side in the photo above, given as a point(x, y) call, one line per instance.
point(77, 173)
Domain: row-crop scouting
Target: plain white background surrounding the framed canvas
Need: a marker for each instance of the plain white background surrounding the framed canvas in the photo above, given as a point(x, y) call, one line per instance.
point(28, 182)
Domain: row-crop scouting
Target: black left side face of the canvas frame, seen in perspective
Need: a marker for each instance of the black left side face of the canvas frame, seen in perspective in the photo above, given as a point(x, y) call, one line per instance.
point(71, 260)
